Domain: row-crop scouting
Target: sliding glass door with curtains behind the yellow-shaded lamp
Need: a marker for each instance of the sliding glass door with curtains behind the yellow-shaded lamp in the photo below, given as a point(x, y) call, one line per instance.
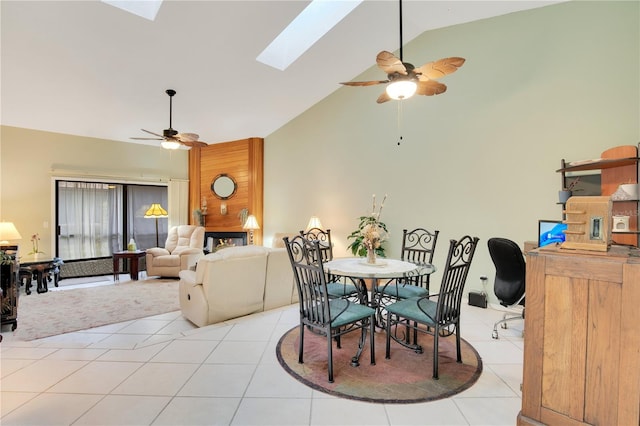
point(95, 219)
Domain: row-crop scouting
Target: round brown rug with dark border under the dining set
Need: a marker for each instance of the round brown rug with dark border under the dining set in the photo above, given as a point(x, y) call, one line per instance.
point(405, 378)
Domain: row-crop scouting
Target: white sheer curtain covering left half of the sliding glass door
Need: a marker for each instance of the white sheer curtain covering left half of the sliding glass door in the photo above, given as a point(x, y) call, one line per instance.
point(90, 219)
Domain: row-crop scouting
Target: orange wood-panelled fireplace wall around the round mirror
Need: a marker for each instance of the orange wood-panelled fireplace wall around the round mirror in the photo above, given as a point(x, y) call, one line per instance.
point(243, 161)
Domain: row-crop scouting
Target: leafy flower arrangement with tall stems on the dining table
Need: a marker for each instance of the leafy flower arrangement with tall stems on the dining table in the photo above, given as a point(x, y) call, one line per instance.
point(371, 233)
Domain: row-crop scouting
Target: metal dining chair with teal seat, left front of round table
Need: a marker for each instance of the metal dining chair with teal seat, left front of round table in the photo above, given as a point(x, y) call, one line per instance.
point(330, 317)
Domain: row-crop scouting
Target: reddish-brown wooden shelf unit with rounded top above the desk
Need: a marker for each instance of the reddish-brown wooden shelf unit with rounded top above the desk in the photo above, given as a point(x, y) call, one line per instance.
point(617, 166)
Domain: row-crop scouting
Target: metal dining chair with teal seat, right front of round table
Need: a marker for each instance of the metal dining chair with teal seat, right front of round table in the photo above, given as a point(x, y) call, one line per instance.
point(439, 317)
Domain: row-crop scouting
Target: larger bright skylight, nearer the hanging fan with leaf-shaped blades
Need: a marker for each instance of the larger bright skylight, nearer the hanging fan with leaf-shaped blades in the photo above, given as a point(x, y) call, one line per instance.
point(307, 28)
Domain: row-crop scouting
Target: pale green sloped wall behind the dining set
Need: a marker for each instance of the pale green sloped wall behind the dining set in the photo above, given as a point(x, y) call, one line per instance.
point(537, 86)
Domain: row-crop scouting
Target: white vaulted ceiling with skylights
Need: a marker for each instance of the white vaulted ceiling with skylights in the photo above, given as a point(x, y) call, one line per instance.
point(90, 69)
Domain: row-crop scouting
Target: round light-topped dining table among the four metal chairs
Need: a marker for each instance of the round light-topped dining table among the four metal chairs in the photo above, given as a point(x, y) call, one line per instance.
point(384, 272)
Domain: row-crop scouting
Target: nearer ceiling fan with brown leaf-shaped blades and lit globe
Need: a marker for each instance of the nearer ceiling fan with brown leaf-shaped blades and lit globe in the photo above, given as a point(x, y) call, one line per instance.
point(405, 80)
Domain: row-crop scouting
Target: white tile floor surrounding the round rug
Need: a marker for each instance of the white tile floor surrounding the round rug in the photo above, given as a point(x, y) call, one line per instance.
point(162, 370)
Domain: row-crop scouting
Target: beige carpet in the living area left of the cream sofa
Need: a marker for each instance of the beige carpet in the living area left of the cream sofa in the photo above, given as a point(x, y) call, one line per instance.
point(57, 312)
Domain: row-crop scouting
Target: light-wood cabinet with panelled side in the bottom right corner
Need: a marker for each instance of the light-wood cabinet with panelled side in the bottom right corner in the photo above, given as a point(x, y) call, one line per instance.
point(582, 345)
